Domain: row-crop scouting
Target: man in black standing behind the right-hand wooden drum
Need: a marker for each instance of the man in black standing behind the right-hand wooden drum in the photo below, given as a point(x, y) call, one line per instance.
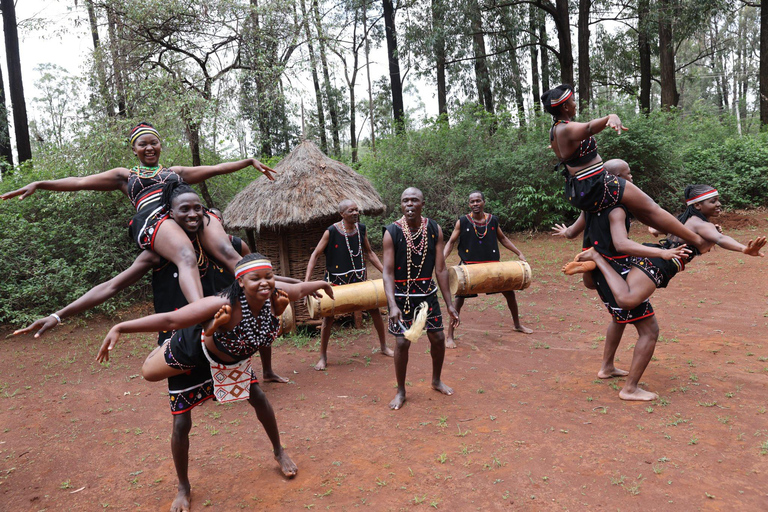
point(478, 234)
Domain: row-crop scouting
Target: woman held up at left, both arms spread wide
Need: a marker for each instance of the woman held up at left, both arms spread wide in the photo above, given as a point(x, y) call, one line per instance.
point(144, 186)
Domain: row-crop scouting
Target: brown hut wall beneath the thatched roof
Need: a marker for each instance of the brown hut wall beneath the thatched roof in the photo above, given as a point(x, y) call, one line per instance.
point(298, 242)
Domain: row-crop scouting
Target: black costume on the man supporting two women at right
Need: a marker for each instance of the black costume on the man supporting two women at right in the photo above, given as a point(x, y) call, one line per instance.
point(597, 235)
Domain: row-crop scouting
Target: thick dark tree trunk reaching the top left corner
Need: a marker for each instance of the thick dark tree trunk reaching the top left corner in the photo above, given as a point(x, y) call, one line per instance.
point(15, 84)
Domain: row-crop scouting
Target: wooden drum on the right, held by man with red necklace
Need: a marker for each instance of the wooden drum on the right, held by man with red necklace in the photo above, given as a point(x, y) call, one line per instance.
point(492, 277)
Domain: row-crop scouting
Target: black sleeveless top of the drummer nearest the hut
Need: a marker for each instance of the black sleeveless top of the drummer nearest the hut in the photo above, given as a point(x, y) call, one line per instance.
point(344, 263)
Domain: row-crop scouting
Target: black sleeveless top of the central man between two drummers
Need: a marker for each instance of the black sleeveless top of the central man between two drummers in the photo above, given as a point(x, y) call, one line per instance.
point(421, 283)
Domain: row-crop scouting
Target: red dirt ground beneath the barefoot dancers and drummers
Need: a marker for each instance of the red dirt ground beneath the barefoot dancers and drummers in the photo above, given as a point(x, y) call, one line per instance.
point(529, 428)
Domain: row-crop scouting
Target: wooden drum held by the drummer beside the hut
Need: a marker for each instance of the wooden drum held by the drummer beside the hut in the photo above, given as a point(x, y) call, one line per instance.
point(348, 298)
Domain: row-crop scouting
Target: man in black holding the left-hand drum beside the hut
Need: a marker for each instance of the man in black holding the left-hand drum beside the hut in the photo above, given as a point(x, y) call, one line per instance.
point(346, 248)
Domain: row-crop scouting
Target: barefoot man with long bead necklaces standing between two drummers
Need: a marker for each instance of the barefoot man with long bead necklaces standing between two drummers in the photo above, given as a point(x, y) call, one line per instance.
point(413, 250)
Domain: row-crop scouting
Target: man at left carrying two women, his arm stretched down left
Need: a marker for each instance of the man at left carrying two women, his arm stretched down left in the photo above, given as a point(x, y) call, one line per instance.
point(187, 390)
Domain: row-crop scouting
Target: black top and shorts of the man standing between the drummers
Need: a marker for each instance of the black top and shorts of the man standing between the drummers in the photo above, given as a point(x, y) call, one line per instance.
point(421, 287)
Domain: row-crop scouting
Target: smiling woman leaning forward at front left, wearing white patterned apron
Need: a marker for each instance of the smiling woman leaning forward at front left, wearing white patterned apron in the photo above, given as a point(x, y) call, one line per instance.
point(221, 333)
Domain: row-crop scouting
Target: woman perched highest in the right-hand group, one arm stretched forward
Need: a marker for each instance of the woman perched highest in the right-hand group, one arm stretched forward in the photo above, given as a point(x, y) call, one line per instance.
point(587, 186)
